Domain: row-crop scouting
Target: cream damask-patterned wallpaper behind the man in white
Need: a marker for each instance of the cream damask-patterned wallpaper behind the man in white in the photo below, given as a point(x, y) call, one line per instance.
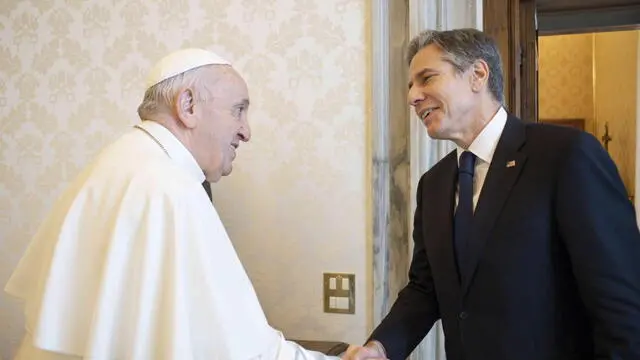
point(71, 75)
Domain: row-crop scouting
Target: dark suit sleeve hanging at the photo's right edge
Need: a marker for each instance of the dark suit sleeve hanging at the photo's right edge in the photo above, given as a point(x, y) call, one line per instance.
point(598, 225)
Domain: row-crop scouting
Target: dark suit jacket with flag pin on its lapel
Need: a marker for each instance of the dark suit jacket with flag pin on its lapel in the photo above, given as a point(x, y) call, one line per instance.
point(555, 257)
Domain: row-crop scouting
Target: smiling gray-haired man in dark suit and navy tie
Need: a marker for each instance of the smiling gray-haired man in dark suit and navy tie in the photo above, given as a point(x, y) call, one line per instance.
point(525, 242)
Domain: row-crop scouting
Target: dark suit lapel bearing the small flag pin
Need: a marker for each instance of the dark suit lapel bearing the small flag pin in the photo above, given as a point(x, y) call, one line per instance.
point(506, 165)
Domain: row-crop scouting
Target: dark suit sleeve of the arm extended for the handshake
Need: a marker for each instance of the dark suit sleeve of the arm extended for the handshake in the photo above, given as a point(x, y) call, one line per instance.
point(416, 308)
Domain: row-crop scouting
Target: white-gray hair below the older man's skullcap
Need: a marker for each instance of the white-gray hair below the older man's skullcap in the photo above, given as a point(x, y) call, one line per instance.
point(161, 97)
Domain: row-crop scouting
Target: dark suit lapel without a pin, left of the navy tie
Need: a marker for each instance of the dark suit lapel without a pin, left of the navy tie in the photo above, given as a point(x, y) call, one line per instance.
point(438, 209)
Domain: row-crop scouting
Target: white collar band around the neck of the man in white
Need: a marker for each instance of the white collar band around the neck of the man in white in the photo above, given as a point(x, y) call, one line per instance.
point(175, 149)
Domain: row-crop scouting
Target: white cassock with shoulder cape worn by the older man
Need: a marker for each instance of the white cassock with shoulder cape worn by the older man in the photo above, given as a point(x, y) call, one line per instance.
point(133, 263)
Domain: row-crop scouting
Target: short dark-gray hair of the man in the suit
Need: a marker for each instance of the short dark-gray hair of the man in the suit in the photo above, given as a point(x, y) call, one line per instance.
point(461, 48)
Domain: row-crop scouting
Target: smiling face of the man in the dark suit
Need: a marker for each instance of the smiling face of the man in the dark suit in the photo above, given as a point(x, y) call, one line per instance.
point(441, 96)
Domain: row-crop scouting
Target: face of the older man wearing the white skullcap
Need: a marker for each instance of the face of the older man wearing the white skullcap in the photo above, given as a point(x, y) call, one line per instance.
point(222, 122)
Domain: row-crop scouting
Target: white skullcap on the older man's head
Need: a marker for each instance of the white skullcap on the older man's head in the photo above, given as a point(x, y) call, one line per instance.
point(181, 61)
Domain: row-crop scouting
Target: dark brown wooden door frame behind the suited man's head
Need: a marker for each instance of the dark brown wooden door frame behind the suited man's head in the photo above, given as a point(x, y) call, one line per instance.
point(516, 25)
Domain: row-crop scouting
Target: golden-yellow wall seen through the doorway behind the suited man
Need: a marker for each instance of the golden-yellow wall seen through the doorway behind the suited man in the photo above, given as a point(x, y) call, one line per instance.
point(594, 77)
